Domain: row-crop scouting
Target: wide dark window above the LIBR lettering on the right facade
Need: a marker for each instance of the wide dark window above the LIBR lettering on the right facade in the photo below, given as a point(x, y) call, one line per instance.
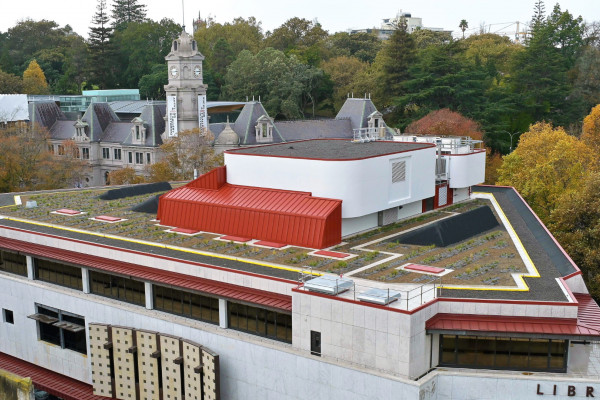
point(503, 353)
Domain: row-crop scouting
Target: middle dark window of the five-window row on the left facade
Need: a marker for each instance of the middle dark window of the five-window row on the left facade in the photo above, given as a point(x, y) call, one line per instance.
point(117, 287)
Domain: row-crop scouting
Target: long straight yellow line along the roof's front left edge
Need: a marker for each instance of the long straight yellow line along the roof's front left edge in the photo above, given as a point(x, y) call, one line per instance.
point(164, 246)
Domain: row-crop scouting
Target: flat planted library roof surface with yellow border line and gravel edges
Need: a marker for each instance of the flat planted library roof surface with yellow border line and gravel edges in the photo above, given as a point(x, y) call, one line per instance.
point(485, 259)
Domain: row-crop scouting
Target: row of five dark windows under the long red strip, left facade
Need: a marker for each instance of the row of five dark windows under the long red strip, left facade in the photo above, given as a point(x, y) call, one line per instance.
point(241, 317)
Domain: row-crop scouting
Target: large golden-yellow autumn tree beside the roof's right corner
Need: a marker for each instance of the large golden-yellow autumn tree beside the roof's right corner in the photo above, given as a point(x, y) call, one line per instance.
point(547, 165)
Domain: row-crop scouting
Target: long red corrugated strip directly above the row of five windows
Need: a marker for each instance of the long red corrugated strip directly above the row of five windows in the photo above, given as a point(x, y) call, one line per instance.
point(216, 288)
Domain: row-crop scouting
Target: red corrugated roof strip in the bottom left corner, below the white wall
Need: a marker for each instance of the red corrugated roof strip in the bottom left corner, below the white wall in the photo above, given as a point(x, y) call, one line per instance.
point(49, 381)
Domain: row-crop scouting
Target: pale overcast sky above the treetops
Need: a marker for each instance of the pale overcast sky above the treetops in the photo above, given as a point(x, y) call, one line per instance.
point(334, 15)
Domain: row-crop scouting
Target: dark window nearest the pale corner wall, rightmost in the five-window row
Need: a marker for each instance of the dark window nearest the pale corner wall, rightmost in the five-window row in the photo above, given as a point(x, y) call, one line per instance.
point(258, 321)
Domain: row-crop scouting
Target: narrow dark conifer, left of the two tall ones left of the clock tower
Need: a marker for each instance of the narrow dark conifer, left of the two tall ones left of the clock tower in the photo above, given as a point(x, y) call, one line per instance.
point(100, 46)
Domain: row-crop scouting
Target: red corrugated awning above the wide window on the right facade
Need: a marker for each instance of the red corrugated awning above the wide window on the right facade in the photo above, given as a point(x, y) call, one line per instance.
point(585, 327)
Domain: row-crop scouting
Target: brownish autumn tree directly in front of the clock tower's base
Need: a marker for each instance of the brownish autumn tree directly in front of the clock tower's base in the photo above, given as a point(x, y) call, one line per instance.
point(180, 155)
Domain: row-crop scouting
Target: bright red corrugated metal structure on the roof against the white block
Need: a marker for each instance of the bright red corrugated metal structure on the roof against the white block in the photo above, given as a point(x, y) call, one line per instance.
point(283, 216)
